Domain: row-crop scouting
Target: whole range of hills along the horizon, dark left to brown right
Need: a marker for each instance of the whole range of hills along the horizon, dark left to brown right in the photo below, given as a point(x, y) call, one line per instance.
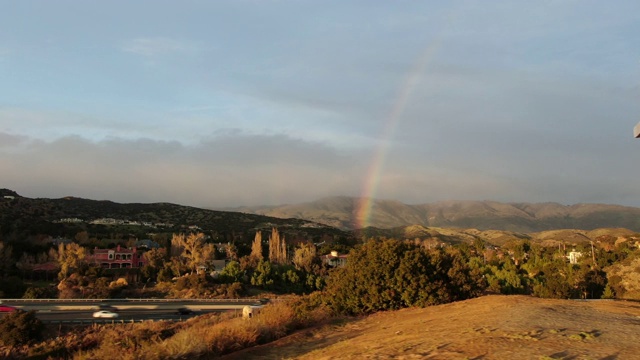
point(327, 220)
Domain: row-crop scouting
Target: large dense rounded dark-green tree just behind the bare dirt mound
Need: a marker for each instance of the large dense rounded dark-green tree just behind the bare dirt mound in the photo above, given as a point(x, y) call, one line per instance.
point(390, 274)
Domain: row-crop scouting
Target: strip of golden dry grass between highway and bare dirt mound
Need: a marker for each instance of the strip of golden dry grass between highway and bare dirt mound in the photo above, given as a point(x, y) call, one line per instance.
point(200, 337)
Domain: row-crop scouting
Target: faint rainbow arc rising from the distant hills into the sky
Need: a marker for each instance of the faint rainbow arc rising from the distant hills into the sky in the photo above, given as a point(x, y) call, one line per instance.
point(372, 176)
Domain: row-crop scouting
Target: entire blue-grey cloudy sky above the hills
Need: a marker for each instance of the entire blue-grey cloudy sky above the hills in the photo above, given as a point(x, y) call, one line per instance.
point(238, 103)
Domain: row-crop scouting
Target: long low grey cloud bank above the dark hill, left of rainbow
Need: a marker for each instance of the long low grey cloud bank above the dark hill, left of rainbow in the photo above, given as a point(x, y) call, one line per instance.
point(236, 169)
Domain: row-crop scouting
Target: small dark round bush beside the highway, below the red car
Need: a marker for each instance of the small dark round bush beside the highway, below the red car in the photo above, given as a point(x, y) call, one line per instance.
point(20, 327)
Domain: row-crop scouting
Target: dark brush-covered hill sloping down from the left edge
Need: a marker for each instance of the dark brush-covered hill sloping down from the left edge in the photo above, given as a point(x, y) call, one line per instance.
point(22, 216)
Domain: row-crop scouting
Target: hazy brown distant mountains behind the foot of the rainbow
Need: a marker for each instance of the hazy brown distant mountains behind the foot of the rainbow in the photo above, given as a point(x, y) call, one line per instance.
point(483, 215)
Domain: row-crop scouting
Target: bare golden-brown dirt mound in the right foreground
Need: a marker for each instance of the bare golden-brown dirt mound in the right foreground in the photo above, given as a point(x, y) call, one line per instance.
point(490, 327)
